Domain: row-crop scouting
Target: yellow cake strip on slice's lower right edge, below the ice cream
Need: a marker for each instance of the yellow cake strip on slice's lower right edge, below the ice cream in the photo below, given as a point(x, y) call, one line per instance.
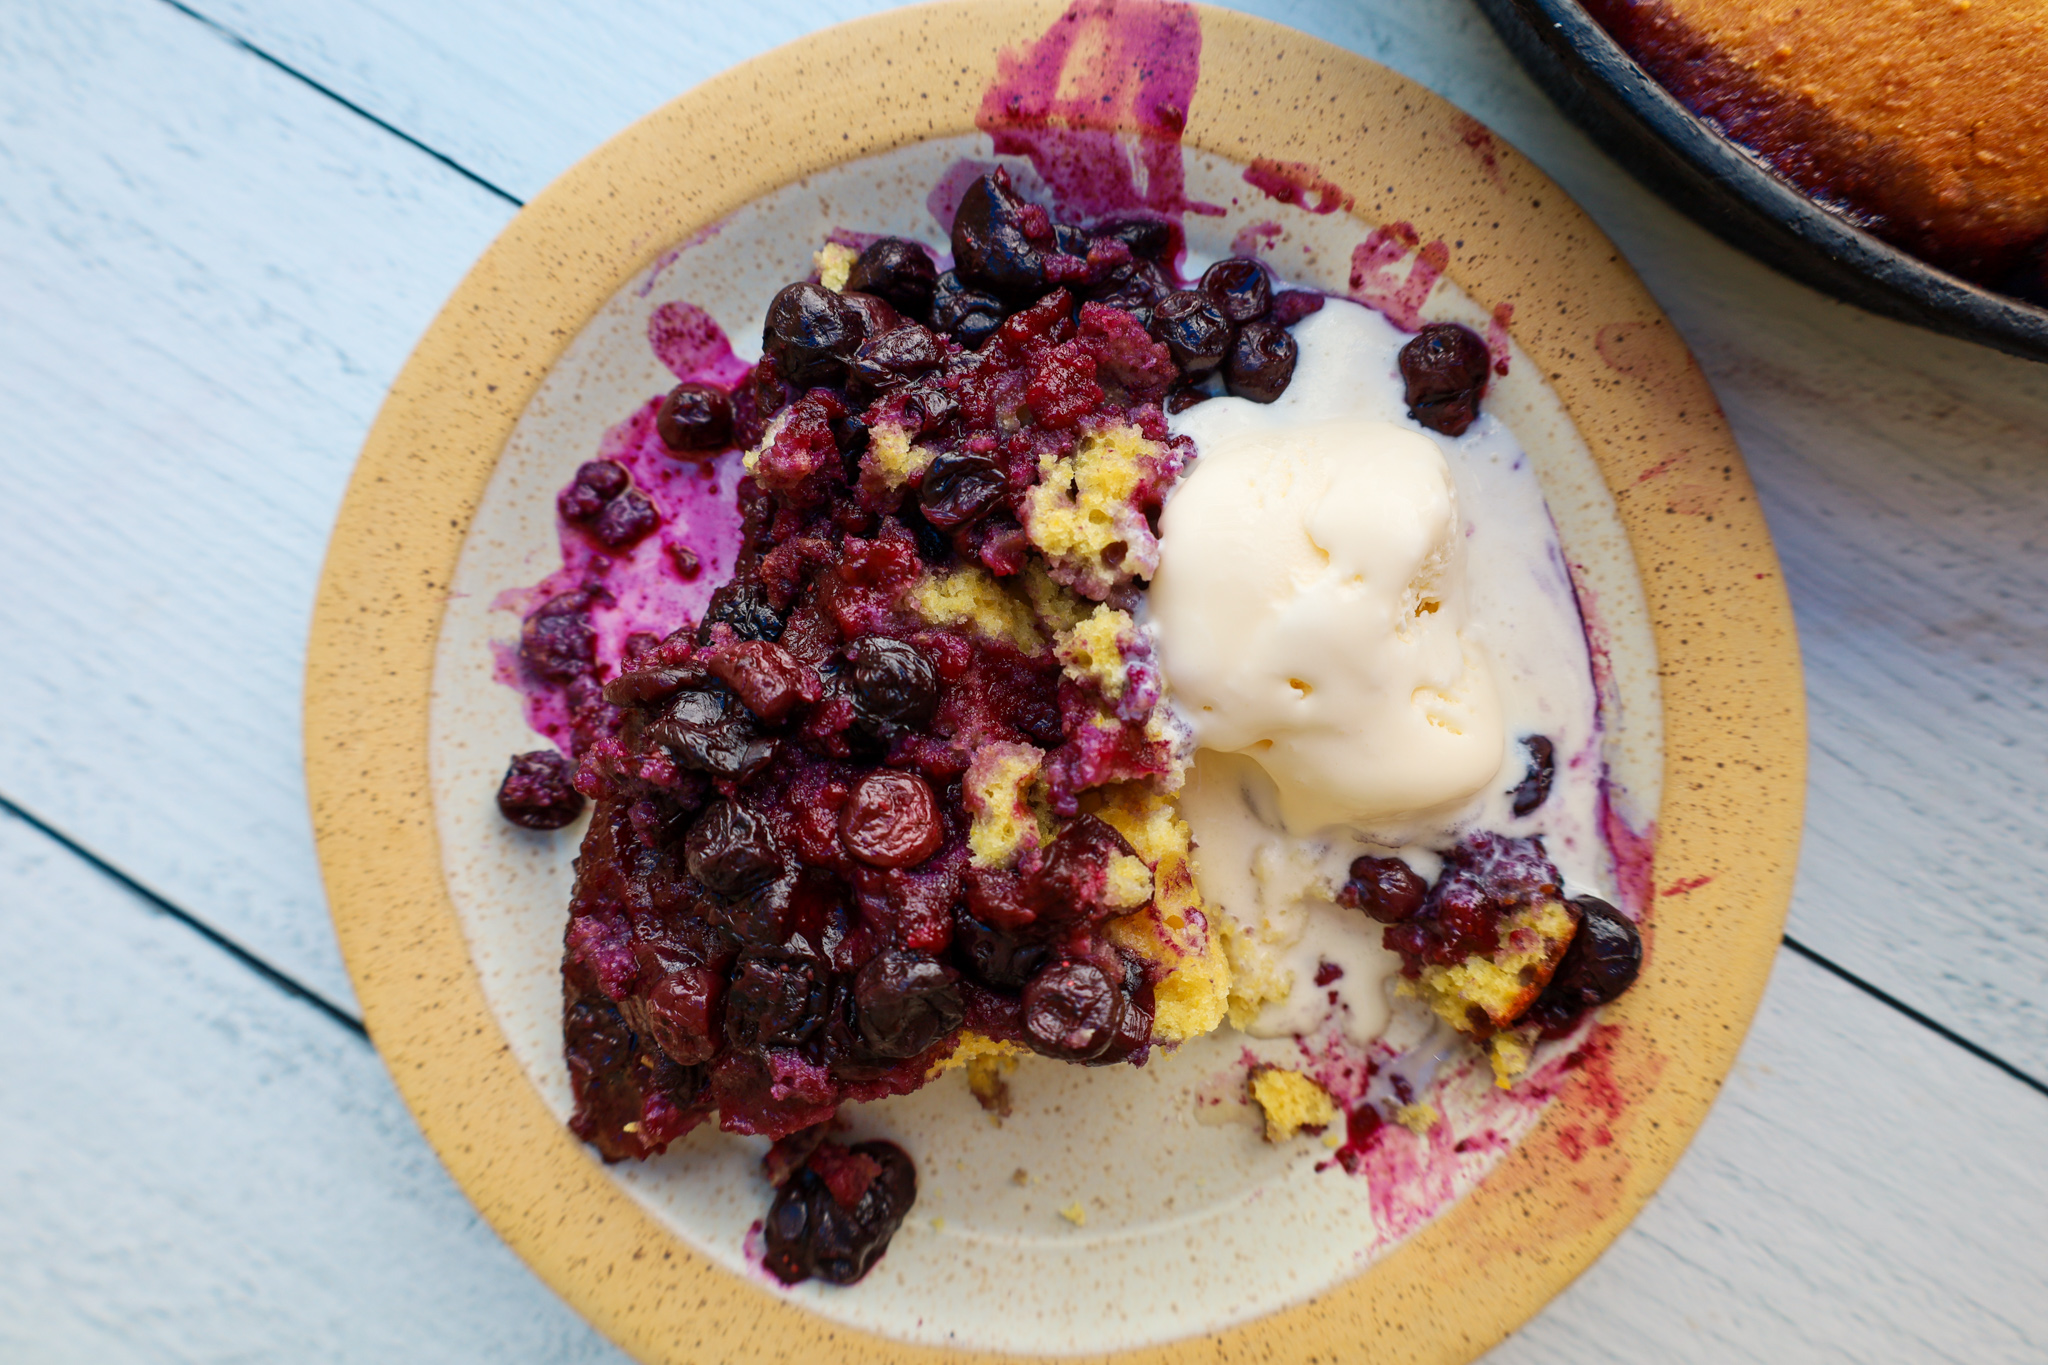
point(1193, 998)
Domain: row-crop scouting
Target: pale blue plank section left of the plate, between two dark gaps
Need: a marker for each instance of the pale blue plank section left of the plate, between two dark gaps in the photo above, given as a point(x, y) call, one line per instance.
point(208, 279)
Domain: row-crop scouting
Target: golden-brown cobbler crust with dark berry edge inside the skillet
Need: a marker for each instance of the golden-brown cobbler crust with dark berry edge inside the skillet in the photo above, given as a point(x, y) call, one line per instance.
point(1922, 122)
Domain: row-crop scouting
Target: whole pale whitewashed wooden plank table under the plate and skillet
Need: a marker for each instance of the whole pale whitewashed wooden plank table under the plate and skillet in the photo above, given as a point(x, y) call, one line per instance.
point(222, 228)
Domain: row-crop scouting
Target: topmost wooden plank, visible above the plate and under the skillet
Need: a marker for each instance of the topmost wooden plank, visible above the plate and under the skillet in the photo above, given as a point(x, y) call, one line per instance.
point(1904, 474)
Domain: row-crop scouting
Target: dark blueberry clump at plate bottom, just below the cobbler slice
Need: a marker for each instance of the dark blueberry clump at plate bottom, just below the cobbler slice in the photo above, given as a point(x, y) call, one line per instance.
point(810, 1233)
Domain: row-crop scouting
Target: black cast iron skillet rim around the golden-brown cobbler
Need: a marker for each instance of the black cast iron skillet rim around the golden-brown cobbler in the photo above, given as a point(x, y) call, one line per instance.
point(1736, 195)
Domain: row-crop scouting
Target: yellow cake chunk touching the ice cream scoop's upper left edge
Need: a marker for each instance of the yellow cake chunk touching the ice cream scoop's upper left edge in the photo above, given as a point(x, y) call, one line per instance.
point(1082, 509)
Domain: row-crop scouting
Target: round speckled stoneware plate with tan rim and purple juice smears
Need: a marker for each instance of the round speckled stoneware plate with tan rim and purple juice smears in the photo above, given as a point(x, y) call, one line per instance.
point(1345, 177)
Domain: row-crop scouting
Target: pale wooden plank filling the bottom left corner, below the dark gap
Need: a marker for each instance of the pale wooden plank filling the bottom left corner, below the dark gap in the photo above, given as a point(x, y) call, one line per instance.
point(200, 1168)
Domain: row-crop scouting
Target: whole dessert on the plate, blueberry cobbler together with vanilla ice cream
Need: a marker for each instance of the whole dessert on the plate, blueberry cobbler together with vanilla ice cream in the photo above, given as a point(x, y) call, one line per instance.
point(923, 789)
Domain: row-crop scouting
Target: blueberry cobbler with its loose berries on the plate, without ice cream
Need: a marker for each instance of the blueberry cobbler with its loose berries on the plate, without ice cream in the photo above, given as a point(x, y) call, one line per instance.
point(908, 795)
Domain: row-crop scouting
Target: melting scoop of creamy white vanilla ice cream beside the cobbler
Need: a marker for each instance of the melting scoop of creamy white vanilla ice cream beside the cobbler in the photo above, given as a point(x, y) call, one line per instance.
point(1310, 607)
